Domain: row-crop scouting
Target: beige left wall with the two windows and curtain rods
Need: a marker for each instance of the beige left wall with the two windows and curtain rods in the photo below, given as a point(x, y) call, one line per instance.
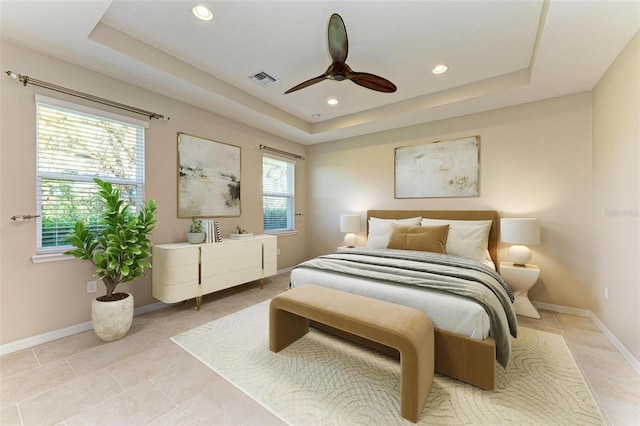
point(38, 298)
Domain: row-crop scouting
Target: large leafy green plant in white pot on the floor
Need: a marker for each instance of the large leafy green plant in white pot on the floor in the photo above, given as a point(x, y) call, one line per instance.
point(119, 250)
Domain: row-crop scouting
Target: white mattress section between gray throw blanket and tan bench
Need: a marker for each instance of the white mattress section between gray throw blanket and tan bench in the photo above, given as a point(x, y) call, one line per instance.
point(447, 312)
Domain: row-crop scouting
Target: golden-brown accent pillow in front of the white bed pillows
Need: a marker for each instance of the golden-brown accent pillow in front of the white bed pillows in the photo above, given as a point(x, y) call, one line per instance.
point(419, 238)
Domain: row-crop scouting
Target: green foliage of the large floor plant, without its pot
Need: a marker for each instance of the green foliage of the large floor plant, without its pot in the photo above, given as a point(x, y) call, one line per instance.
point(120, 248)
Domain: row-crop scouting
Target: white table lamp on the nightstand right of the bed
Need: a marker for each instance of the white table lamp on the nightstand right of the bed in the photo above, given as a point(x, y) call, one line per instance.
point(520, 231)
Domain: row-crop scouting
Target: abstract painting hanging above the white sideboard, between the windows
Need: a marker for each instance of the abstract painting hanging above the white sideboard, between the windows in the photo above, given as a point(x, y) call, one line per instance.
point(208, 178)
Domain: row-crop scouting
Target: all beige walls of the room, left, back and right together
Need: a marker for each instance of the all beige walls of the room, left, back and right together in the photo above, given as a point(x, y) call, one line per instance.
point(536, 159)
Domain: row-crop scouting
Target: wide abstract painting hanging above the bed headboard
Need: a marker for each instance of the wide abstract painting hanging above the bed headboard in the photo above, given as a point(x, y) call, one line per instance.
point(438, 169)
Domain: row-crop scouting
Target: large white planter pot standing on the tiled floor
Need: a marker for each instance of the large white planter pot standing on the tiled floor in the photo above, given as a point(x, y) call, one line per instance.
point(112, 320)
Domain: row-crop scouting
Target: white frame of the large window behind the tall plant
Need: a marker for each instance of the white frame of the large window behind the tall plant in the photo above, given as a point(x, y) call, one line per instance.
point(54, 253)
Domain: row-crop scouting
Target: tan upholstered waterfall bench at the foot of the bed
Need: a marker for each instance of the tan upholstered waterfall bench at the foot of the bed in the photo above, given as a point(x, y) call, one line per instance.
point(406, 329)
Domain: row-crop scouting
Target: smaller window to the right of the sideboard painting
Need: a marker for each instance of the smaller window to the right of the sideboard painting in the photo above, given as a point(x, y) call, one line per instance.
point(278, 184)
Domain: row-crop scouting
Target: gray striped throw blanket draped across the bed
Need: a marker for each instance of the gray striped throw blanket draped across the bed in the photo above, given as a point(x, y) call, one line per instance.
point(436, 272)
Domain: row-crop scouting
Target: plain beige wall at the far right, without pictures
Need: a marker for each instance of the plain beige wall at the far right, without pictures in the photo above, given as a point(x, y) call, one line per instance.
point(616, 197)
